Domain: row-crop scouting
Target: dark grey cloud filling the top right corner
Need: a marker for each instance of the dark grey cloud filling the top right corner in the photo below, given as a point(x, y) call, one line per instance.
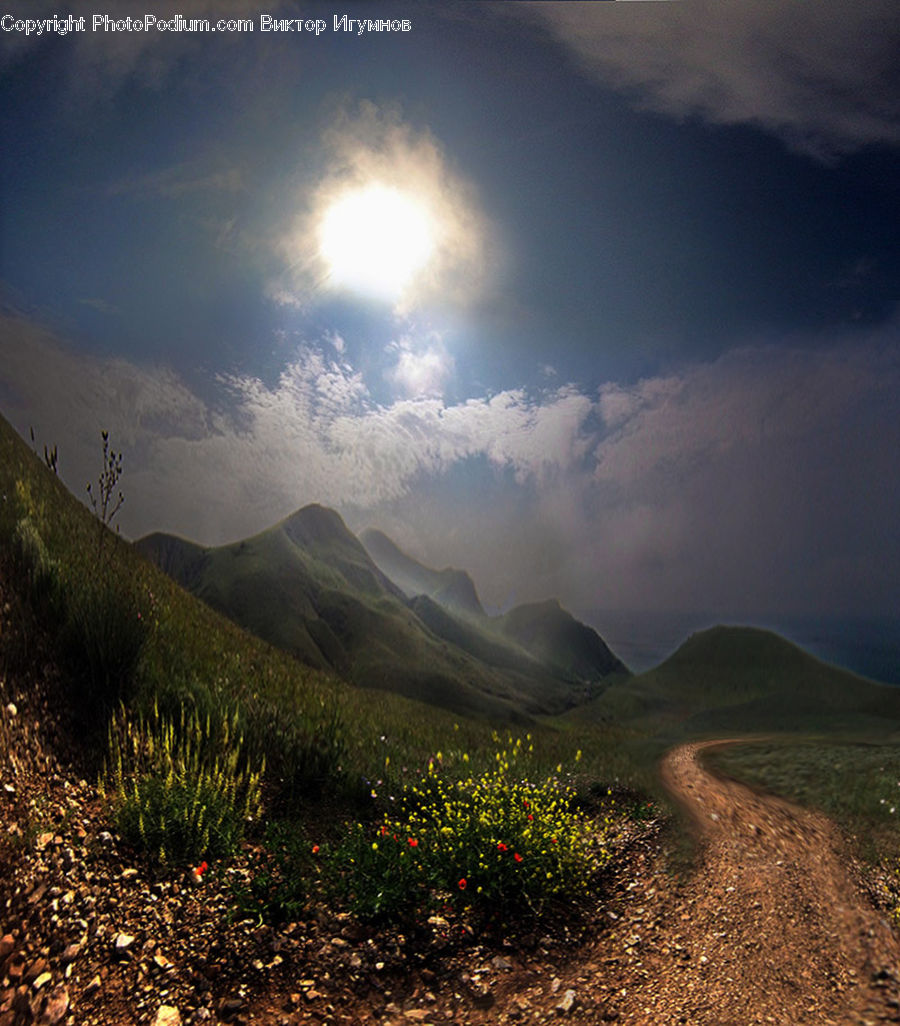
point(825, 80)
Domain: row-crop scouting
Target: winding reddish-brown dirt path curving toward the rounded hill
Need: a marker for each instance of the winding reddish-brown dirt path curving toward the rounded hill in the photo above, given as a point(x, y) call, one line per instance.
point(773, 927)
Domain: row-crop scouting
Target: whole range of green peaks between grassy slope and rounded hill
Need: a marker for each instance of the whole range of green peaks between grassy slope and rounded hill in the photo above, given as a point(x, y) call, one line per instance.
point(364, 610)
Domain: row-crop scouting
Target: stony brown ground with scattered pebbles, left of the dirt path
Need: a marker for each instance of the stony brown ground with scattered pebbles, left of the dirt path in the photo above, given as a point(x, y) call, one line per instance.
point(92, 935)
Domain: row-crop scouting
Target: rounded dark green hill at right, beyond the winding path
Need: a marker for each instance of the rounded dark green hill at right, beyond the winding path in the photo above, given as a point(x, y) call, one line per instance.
point(742, 681)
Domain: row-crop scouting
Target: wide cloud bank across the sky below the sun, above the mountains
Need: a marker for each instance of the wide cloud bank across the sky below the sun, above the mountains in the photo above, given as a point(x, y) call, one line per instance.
point(762, 482)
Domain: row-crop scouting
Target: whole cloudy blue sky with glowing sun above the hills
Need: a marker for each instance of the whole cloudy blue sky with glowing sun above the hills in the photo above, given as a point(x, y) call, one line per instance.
point(595, 301)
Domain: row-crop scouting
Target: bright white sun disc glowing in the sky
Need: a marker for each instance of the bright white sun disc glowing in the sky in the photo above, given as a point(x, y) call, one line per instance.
point(375, 241)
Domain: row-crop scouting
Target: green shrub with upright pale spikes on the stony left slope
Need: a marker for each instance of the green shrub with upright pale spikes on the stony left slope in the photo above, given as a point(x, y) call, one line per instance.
point(182, 790)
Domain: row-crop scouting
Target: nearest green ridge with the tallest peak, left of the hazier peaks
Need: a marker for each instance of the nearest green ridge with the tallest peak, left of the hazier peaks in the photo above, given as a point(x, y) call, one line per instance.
point(308, 586)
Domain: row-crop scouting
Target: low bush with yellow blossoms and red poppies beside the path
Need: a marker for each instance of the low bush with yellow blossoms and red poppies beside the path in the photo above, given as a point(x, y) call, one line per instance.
point(497, 844)
